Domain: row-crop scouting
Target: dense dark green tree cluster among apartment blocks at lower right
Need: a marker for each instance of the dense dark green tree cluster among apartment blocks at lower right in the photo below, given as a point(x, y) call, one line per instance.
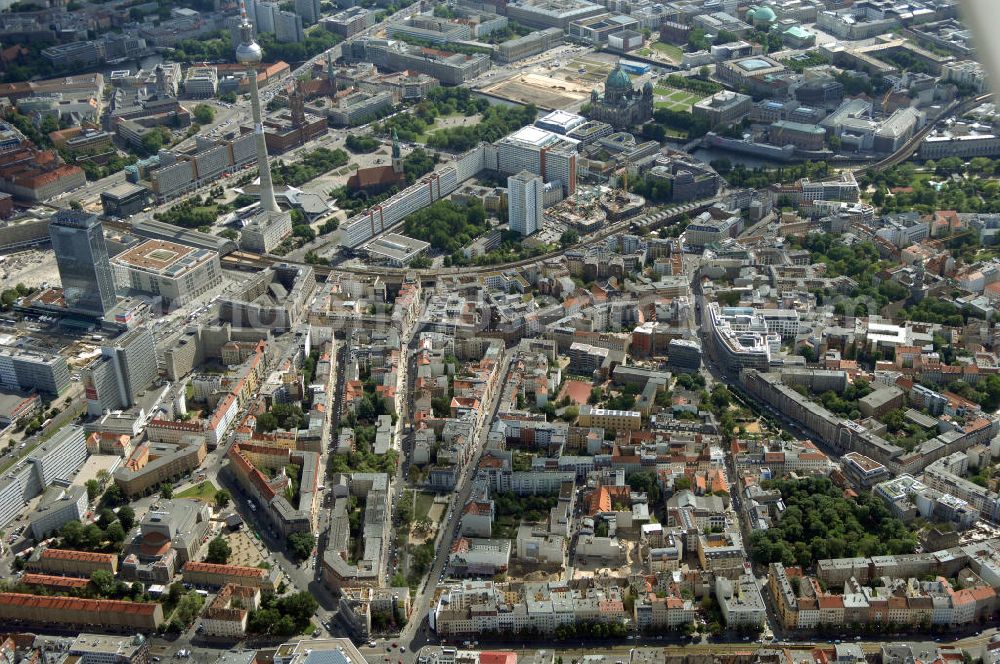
point(819, 522)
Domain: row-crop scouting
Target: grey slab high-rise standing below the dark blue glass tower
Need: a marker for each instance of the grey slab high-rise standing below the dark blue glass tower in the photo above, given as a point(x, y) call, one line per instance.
point(127, 366)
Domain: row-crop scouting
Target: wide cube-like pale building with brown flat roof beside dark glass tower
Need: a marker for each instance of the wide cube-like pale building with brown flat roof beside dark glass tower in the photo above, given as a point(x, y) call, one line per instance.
point(175, 272)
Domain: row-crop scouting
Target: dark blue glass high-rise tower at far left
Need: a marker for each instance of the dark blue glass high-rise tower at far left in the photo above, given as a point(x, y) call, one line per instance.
point(82, 257)
